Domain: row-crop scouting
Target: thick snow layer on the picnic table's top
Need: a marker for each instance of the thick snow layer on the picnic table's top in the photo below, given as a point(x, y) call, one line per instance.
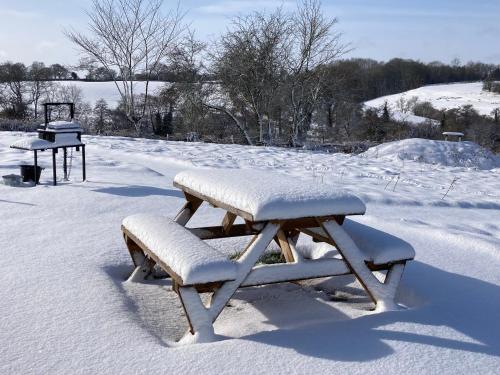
point(270, 196)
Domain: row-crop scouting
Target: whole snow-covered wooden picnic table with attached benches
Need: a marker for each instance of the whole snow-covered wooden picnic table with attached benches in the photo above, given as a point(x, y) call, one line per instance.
point(272, 207)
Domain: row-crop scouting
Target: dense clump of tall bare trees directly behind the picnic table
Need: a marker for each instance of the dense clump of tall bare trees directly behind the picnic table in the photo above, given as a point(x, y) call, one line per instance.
point(271, 65)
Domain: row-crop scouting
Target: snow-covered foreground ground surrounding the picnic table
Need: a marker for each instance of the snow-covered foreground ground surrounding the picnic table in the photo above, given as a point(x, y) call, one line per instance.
point(66, 309)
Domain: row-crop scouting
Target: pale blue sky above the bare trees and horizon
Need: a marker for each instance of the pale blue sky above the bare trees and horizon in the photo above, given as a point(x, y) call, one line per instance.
point(381, 29)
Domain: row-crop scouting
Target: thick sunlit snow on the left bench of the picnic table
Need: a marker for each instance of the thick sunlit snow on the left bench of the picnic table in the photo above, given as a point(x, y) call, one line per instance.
point(190, 258)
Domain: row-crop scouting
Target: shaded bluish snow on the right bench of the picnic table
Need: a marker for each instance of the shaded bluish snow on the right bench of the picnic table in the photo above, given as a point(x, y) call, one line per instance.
point(378, 247)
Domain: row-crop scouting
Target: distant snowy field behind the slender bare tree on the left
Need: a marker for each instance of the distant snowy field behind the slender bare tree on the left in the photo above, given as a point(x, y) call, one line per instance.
point(93, 91)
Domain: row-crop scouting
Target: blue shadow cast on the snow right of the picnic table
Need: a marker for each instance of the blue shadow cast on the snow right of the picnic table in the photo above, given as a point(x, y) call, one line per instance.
point(462, 303)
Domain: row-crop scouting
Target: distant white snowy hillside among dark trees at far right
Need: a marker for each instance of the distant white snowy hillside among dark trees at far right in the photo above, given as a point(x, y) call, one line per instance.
point(444, 97)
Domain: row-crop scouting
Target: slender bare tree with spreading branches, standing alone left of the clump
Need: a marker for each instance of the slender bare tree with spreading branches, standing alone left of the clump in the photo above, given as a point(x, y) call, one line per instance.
point(131, 37)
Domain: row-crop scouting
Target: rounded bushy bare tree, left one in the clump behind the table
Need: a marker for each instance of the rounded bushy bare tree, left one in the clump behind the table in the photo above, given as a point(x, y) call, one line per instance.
point(250, 62)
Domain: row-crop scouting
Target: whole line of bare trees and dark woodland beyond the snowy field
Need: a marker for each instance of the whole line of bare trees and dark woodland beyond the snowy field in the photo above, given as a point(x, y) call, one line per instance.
point(277, 78)
